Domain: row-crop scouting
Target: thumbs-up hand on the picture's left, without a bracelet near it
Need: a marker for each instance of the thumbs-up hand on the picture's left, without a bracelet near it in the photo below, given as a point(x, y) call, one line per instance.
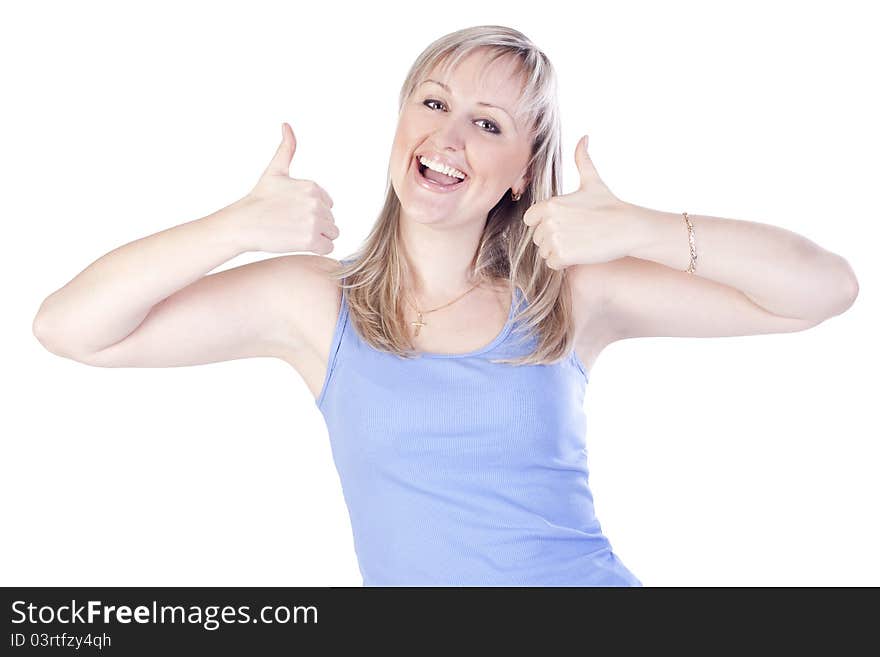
point(287, 214)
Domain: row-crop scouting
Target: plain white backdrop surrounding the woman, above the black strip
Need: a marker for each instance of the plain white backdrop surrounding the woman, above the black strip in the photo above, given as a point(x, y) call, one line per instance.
point(726, 461)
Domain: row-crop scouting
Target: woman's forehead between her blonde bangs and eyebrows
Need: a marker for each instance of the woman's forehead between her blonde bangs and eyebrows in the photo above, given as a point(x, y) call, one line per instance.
point(500, 81)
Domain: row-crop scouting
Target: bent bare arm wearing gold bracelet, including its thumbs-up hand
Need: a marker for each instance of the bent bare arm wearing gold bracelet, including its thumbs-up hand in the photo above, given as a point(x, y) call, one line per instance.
point(748, 277)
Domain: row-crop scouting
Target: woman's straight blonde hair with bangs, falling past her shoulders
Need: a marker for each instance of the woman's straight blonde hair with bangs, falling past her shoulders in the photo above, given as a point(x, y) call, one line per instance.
point(376, 274)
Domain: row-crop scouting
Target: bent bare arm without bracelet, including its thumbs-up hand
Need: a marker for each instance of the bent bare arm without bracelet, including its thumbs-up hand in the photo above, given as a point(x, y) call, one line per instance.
point(148, 303)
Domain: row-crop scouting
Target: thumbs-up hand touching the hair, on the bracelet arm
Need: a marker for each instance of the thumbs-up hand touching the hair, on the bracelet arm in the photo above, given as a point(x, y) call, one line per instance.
point(587, 226)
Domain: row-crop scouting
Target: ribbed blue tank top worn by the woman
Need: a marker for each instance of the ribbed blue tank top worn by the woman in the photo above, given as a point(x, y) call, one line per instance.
point(461, 472)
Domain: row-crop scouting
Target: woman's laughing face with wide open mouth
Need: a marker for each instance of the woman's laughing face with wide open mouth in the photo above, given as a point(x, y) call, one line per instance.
point(446, 118)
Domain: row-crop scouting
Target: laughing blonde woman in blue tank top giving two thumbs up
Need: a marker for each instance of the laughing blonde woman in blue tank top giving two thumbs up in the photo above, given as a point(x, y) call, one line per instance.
point(449, 356)
